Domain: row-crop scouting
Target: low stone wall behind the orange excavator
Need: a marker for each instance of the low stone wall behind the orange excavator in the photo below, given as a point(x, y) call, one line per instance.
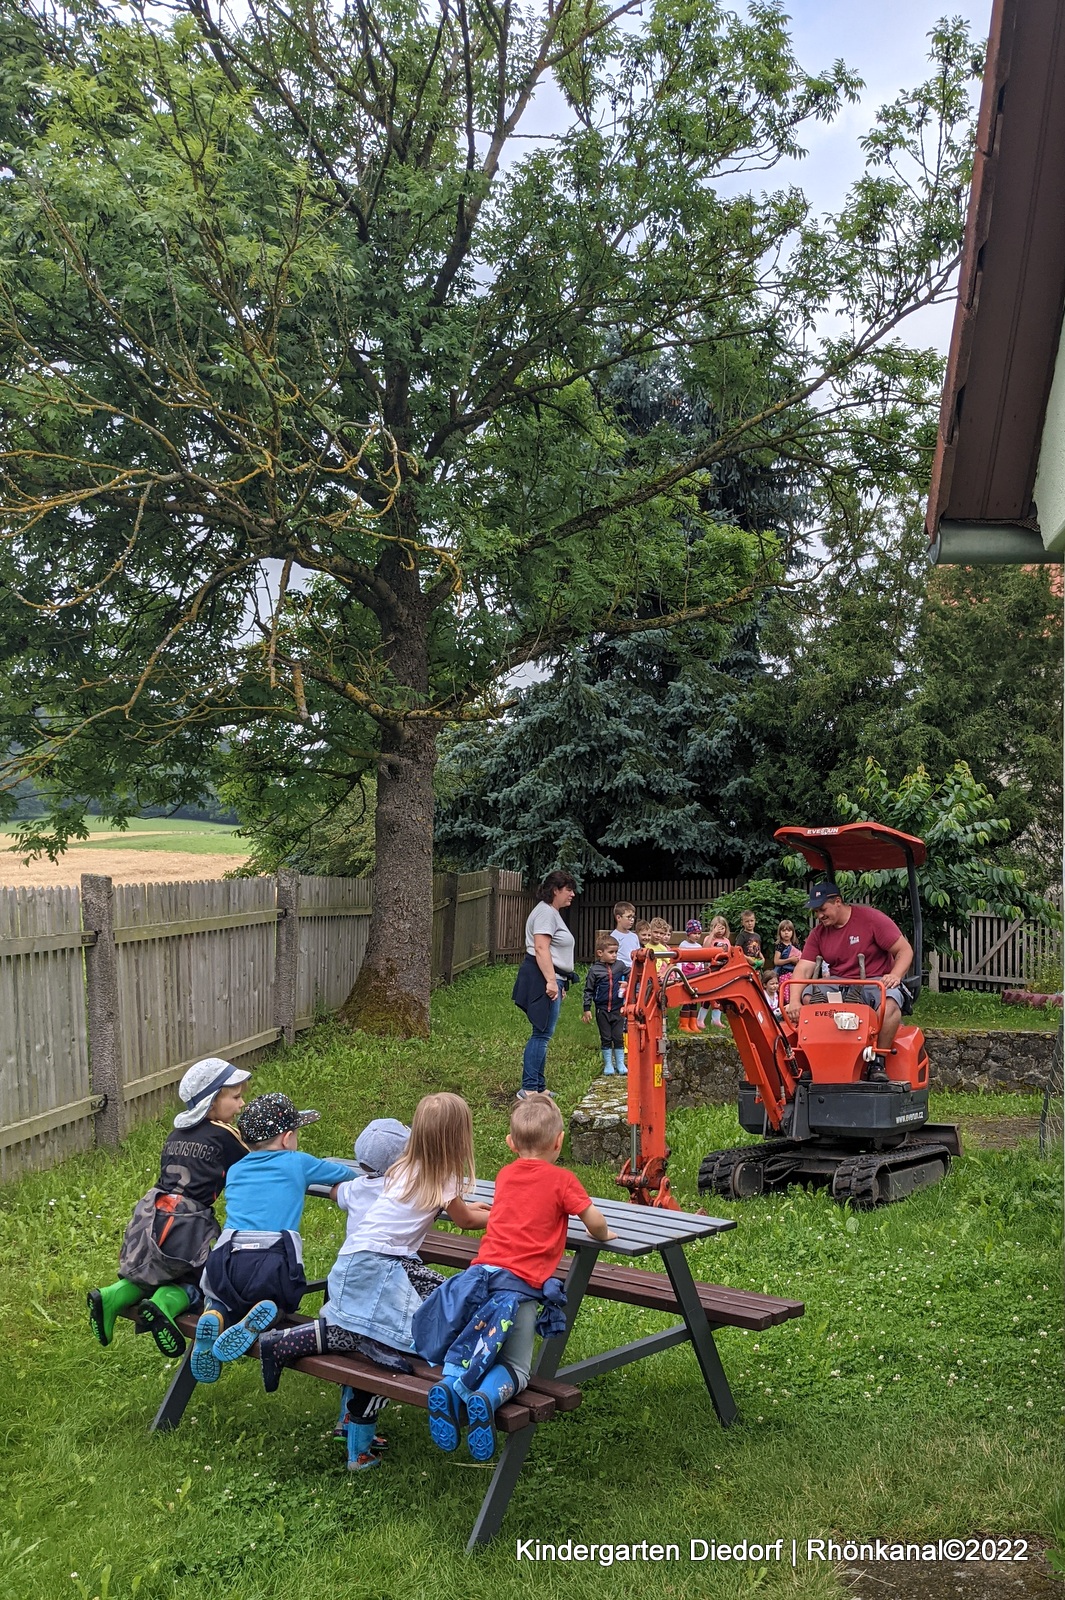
point(708, 1073)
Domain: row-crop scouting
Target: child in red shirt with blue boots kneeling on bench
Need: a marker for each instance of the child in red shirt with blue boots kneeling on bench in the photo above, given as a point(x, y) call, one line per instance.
point(525, 1241)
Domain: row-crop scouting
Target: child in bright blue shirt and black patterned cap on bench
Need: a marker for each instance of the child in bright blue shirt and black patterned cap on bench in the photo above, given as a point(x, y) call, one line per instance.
point(257, 1268)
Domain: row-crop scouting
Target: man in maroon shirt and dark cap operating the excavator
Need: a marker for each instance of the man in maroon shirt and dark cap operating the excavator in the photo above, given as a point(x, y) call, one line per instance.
point(855, 942)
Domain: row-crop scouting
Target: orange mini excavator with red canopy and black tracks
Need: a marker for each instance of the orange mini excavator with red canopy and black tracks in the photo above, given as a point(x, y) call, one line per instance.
point(831, 1110)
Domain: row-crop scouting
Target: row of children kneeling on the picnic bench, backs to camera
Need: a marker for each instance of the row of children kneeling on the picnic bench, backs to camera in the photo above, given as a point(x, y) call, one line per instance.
point(381, 1303)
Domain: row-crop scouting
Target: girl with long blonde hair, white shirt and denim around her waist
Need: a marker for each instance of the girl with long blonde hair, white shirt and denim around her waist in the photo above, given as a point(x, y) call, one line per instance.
point(378, 1281)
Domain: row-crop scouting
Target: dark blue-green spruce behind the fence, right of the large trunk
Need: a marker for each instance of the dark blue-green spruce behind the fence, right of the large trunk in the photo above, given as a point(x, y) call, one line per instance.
point(628, 761)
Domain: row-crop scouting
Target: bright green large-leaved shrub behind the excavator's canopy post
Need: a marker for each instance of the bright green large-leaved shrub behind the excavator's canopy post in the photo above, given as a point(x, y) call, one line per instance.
point(957, 823)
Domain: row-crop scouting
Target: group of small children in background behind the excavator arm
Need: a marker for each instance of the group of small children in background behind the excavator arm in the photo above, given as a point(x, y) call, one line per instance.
point(605, 985)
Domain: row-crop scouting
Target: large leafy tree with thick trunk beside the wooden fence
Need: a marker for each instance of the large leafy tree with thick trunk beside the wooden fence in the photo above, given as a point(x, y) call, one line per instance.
point(306, 335)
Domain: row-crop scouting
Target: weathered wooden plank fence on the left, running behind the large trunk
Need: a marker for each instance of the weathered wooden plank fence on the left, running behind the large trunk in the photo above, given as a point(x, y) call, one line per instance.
point(111, 993)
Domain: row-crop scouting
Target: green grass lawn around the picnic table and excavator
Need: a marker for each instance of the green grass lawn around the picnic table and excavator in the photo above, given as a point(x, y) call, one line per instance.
point(920, 1396)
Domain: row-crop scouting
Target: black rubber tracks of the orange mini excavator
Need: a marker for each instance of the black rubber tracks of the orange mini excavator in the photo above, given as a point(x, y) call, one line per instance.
point(866, 1182)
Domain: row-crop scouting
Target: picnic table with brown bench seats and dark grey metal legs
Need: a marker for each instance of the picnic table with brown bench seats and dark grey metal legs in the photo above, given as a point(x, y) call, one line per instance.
point(552, 1388)
